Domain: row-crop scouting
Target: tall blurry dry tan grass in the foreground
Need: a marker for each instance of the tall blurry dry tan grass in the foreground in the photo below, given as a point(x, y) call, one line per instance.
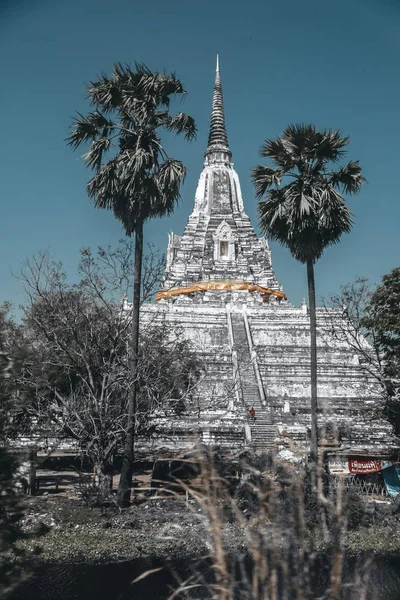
point(294, 535)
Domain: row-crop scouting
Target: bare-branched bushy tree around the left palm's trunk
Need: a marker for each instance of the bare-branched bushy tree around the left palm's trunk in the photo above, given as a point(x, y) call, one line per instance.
point(76, 375)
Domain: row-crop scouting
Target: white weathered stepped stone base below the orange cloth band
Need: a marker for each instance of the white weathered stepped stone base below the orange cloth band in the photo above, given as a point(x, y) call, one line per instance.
point(348, 397)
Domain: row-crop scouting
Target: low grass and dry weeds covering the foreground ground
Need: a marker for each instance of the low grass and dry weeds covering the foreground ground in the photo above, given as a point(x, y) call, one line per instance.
point(255, 532)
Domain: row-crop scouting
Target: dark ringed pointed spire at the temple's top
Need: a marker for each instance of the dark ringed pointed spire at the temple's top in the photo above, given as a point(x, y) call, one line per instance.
point(217, 138)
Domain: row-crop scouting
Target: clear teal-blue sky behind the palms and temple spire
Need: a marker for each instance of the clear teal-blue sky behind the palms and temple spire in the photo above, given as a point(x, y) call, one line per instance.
point(332, 63)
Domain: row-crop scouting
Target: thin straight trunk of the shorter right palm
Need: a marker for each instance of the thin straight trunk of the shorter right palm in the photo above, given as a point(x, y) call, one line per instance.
point(313, 335)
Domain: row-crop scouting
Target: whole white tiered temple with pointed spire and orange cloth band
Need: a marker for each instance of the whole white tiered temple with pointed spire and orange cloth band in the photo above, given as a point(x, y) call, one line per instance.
point(220, 292)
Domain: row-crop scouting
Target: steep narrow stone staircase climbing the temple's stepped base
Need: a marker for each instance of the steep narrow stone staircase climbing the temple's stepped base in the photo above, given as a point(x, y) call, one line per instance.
point(263, 432)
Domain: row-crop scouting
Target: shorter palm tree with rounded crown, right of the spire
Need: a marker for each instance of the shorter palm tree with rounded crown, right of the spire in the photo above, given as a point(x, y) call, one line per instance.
point(301, 205)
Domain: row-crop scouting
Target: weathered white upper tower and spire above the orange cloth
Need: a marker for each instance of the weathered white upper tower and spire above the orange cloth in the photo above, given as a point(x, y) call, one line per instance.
point(219, 241)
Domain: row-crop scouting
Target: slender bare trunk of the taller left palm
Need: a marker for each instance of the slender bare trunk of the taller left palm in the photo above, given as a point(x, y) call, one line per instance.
point(125, 483)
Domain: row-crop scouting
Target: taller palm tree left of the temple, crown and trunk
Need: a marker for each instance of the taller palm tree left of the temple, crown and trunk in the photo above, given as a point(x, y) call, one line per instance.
point(139, 181)
